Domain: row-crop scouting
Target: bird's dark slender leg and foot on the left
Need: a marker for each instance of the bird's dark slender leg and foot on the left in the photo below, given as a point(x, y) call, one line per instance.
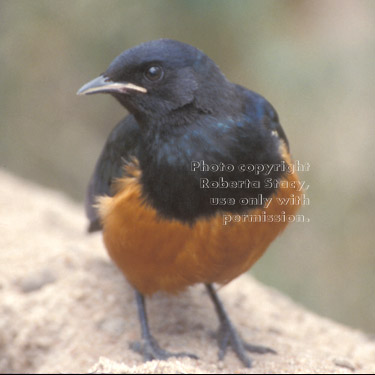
point(149, 347)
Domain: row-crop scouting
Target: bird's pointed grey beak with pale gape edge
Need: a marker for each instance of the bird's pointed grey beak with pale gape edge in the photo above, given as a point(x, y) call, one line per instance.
point(104, 85)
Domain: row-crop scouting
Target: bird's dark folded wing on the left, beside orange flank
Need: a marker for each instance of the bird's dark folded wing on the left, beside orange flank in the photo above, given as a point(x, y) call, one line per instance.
point(120, 147)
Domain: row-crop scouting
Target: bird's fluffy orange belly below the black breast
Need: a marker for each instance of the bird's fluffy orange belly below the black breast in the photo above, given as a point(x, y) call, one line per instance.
point(158, 254)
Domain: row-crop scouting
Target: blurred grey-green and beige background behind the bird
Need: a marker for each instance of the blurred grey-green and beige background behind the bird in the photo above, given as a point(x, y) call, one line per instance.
point(314, 61)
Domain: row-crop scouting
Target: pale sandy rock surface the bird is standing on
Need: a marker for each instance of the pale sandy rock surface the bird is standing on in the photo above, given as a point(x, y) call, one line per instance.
point(65, 308)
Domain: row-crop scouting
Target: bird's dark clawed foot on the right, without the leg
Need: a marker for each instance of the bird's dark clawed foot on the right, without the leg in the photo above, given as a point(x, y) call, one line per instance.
point(228, 336)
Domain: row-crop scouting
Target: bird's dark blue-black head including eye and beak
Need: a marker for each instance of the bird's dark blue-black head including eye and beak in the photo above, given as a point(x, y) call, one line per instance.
point(160, 76)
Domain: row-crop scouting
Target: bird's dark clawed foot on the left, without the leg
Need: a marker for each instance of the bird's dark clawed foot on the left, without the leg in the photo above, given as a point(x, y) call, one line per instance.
point(150, 350)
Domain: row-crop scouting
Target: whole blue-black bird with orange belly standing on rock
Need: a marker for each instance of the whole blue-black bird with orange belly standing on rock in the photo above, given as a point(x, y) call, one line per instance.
point(155, 188)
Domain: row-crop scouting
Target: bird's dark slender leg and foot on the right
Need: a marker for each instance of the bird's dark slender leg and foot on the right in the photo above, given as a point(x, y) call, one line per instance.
point(228, 335)
